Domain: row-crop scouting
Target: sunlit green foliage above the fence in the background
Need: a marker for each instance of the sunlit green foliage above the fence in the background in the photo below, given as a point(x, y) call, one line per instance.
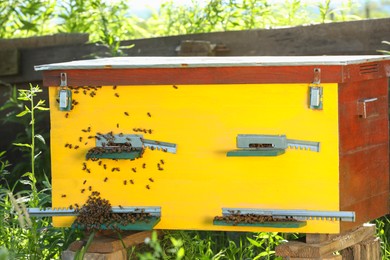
point(111, 21)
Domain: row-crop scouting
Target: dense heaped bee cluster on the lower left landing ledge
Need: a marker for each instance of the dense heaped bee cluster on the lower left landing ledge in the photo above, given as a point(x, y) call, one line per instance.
point(96, 214)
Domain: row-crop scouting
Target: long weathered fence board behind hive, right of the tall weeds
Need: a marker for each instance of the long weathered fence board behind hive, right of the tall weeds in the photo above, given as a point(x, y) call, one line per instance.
point(346, 38)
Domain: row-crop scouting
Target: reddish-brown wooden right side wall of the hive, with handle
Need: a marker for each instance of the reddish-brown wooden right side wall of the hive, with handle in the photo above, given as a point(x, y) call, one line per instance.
point(364, 151)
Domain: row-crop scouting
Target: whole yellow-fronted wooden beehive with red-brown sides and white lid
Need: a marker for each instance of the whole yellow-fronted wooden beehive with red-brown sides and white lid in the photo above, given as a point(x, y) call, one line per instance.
point(233, 123)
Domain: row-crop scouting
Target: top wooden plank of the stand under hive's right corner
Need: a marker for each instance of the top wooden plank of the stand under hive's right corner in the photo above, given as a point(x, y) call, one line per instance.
point(299, 249)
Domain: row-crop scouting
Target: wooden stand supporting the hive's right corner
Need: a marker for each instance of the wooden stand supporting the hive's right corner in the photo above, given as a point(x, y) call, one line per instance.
point(358, 244)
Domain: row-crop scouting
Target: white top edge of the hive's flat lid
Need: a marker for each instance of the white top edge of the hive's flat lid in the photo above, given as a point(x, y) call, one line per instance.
point(194, 62)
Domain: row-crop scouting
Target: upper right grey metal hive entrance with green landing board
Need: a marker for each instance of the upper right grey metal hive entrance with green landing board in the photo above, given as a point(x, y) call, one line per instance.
point(269, 145)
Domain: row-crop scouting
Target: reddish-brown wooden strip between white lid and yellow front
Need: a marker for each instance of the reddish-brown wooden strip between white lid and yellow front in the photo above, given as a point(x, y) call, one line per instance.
point(208, 75)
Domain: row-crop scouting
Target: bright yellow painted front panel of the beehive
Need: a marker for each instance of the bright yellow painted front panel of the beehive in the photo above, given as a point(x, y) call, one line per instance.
point(199, 180)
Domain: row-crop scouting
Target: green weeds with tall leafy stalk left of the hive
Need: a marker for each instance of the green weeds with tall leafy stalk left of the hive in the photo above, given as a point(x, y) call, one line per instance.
point(22, 237)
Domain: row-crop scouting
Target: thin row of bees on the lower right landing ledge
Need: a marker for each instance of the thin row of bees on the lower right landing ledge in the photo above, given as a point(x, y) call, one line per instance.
point(236, 218)
